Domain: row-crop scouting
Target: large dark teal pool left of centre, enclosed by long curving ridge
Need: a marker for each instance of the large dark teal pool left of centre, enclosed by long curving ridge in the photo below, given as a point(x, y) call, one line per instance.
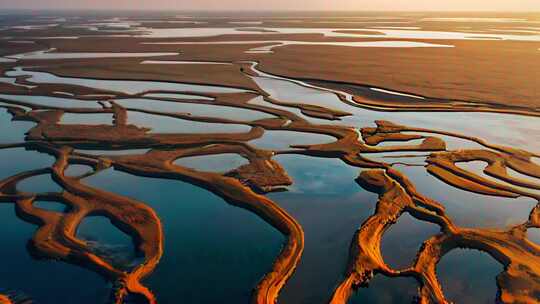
point(213, 252)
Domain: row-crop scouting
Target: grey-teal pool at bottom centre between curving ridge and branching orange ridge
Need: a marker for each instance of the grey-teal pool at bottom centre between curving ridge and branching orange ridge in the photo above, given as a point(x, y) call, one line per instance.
point(330, 206)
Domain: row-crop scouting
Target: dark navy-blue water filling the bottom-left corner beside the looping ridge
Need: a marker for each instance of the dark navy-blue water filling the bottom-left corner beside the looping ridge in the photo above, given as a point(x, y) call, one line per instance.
point(46, 282)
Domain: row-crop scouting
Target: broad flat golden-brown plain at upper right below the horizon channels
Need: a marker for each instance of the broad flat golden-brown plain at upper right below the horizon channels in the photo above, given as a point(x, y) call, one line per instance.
point(375, 67)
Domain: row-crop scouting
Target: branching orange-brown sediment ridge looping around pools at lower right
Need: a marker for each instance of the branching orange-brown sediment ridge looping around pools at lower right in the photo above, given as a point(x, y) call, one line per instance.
point(518, 283)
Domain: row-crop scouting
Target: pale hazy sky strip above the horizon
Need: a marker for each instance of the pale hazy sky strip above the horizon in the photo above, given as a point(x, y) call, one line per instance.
point(433, 5)
